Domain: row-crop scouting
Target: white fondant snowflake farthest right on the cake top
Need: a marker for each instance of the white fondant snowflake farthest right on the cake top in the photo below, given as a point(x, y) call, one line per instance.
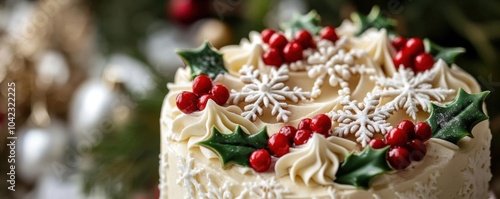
point(410, 91)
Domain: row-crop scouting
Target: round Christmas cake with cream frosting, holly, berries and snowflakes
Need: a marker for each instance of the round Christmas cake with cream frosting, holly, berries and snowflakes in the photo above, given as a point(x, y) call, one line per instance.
point(308, 111)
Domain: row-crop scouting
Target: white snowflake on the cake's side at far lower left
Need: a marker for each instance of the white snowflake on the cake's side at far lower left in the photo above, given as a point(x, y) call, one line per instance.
point(187, 177)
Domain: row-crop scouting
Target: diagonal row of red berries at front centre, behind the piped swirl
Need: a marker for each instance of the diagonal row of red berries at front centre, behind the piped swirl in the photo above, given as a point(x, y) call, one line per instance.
point(279, 143)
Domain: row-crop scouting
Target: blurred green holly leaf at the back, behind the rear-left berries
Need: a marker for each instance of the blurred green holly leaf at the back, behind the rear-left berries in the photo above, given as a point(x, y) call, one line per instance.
point(310, 22)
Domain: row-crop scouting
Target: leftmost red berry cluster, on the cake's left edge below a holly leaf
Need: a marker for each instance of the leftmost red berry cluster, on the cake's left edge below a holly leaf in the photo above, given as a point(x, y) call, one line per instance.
point(203, 90)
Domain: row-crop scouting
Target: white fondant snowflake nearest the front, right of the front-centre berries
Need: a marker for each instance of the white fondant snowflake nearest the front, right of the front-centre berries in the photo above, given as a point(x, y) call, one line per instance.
point(362, 119)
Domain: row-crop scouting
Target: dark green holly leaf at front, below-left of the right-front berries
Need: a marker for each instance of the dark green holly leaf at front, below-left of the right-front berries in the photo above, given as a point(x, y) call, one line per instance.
point(359, 170)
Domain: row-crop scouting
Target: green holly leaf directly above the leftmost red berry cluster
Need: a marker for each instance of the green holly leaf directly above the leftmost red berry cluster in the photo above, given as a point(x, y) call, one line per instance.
point(203, 60)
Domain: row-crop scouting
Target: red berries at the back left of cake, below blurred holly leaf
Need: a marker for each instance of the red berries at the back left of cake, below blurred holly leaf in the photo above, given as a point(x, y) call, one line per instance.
point(283, 51)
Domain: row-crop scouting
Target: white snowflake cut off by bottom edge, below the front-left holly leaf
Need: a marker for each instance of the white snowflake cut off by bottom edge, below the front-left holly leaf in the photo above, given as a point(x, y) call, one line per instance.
point(269, 189)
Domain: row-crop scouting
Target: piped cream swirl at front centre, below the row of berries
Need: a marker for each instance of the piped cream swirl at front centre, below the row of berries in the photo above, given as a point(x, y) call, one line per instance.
point(315, 162)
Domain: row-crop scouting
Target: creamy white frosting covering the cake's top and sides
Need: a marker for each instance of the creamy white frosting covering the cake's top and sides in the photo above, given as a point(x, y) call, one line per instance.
point(446, 166)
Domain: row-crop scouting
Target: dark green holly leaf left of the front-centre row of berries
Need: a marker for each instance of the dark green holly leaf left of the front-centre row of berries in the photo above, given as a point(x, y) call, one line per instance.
point(237, 146)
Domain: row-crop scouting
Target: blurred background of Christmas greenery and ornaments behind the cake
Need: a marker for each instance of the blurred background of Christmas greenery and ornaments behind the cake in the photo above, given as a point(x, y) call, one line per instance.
point(90, 77)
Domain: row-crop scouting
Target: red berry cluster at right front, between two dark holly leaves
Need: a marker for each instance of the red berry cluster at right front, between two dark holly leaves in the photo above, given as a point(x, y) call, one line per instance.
point(407, 143)
